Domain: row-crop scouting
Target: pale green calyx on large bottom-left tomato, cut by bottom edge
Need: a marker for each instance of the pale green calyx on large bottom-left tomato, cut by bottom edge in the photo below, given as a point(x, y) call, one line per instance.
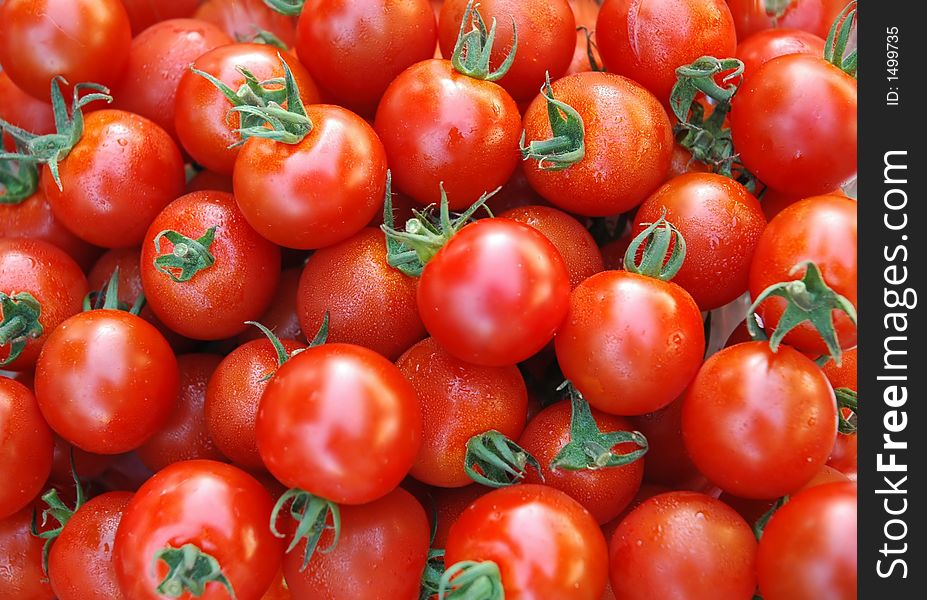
point(189, 570)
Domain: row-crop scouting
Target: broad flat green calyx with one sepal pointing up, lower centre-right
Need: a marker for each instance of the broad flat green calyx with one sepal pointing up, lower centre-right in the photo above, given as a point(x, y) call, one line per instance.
point(589, 448)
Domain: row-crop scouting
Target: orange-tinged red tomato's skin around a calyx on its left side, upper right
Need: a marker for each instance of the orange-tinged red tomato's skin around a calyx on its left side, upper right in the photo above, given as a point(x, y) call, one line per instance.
point(605, 181)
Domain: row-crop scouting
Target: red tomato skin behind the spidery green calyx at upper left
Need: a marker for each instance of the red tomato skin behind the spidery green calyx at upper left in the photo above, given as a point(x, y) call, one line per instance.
point(204, 124)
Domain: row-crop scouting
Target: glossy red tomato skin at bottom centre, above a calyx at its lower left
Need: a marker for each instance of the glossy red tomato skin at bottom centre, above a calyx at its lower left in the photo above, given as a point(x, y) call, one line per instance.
point(546, 545)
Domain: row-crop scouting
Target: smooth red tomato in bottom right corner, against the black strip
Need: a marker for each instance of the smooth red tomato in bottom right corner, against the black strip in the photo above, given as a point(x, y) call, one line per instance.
point(809, 547)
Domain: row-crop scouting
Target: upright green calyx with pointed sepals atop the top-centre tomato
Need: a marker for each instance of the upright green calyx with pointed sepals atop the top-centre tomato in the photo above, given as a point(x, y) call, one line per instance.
point(473, 48)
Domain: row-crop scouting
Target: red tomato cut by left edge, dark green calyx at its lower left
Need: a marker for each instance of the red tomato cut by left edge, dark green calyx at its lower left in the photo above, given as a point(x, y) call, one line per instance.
point(52, 279)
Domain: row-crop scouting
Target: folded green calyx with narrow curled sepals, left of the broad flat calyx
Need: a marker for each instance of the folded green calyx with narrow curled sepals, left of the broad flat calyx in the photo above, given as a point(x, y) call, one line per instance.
point(496, 461)
